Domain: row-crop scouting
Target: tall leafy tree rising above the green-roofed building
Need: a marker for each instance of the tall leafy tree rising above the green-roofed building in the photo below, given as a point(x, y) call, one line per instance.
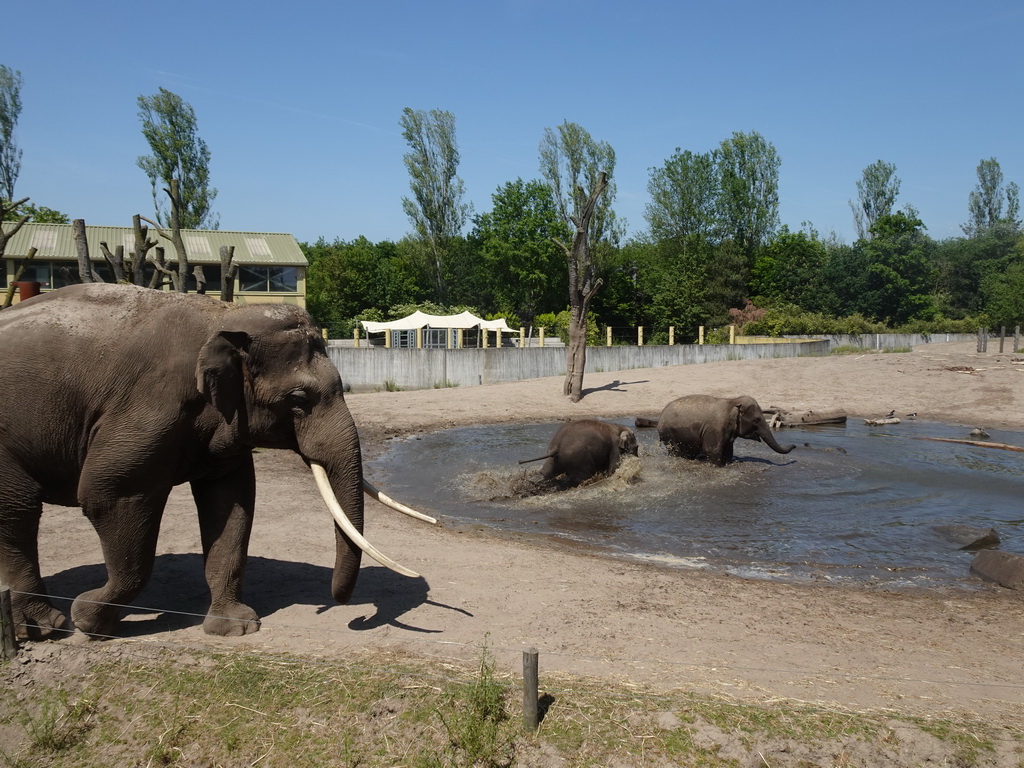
point(181, 158)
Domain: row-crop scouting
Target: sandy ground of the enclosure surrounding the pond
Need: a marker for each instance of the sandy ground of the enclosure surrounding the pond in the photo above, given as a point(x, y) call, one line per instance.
point(926, 653)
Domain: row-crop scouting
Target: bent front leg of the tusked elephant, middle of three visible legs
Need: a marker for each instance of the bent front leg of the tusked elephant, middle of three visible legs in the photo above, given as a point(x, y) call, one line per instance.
point(127, 531)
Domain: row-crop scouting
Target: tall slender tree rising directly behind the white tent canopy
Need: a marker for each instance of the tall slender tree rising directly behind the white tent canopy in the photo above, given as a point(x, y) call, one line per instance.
point(436, 209)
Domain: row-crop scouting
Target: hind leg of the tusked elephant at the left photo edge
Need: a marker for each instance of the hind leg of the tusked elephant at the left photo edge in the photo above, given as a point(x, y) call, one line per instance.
point(21, 508)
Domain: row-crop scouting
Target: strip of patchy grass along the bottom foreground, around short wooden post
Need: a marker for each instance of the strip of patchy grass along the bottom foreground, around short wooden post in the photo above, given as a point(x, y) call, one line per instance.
point(126, 706)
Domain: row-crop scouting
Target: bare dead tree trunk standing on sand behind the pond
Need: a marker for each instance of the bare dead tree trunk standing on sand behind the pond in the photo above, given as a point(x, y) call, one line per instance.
point(583, 286)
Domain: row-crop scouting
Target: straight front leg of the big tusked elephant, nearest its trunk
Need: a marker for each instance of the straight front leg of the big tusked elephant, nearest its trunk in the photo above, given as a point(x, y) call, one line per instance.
point(226, 507)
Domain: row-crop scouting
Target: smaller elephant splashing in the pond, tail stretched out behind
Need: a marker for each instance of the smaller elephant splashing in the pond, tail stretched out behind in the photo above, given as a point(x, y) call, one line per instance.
point(585, 449)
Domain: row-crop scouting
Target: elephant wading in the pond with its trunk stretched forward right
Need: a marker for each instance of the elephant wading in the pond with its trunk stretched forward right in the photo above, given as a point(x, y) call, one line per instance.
point(701, 425)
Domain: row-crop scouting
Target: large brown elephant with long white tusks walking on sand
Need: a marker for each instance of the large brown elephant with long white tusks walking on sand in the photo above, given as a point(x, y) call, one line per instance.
point(114, 395)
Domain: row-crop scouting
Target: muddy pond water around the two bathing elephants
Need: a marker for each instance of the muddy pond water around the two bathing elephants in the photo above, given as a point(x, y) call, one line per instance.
point(852, 504)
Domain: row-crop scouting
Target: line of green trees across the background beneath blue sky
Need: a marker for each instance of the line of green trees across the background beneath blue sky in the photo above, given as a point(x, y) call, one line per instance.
point(714, 251)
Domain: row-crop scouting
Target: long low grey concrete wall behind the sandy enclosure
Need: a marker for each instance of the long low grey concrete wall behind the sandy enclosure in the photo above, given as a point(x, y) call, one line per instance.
point(371, 369)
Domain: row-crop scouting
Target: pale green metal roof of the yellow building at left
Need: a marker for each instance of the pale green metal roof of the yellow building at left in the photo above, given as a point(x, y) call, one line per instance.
point(58, 242)
